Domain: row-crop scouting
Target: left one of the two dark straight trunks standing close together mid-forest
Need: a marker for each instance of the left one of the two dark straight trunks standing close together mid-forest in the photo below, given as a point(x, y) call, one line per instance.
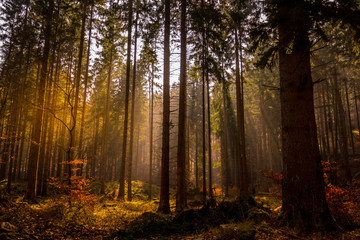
point(164, 205)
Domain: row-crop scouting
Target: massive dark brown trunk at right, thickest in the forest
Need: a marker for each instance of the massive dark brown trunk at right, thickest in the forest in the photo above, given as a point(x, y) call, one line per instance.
point(304, 204)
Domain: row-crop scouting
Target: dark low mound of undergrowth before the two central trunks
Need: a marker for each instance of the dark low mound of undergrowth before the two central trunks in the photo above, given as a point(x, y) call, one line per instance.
point(151, 225)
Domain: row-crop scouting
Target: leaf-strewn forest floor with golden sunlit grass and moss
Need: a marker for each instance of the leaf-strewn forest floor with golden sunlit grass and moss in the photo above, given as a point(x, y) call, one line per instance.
point(94, 217)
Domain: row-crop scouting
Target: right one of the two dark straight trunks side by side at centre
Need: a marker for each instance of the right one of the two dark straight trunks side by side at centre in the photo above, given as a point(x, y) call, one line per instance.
point(181, 151)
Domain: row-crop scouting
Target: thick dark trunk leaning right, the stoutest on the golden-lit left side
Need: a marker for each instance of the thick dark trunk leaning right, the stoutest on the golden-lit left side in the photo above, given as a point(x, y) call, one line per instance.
point(35, 143)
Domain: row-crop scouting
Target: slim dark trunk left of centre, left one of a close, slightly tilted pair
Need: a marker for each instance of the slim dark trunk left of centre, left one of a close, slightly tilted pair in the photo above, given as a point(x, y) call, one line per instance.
point(121, 195)
